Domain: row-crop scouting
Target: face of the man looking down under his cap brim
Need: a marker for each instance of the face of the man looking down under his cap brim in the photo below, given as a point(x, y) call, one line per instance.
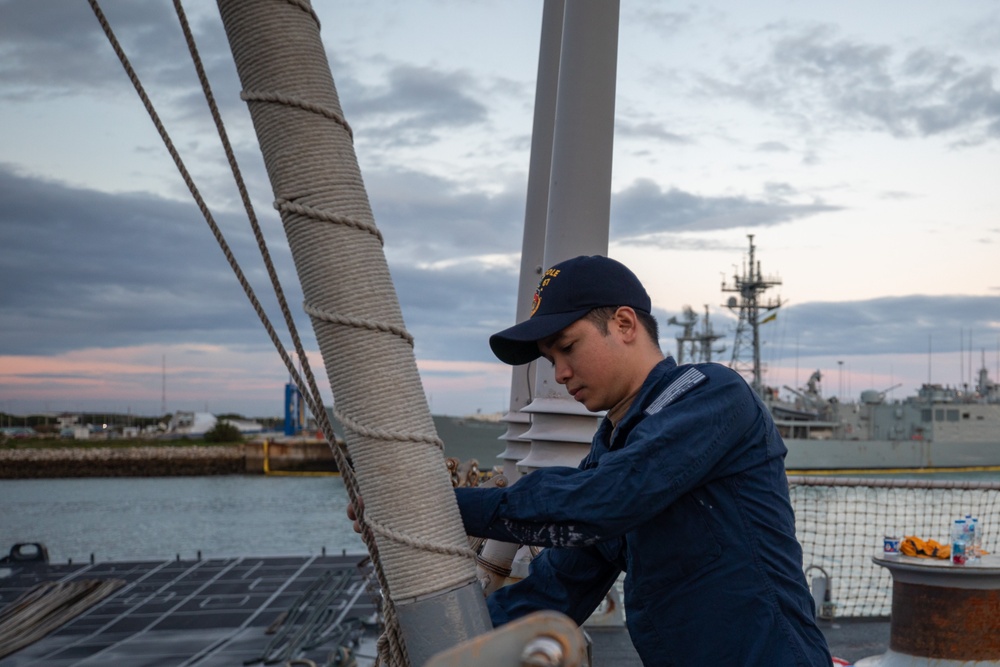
point(587, 361)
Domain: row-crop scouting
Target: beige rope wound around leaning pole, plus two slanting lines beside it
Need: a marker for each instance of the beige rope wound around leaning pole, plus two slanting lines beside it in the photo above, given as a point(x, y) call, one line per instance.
point(308, 149)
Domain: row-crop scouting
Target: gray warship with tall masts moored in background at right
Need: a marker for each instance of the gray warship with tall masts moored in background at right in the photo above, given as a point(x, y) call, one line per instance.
point(940, 429)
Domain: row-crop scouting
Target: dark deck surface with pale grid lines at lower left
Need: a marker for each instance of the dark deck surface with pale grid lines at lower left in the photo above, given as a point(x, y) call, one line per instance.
point(206, 612)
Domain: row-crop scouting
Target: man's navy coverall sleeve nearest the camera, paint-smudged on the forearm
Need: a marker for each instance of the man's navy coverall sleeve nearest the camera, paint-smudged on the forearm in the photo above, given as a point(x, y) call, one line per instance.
point(697, 437)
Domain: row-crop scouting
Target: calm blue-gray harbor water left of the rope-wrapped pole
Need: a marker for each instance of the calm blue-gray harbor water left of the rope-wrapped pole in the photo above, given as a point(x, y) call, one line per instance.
point(156, 518)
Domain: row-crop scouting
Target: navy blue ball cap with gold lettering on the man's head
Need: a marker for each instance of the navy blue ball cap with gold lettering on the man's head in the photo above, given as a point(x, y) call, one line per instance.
point(567, 292)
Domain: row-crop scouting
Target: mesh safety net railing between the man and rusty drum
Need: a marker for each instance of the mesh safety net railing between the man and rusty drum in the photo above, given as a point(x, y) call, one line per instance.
point(841, 523)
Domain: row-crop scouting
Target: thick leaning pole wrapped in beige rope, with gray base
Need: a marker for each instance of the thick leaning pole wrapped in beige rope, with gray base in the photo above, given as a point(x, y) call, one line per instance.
point(427, 570)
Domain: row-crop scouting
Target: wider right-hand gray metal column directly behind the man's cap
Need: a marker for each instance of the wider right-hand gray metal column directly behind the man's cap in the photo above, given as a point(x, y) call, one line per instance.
point(579, 204)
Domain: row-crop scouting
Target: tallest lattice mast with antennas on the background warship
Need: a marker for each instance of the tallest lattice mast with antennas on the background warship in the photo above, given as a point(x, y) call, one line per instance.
point(750, 285)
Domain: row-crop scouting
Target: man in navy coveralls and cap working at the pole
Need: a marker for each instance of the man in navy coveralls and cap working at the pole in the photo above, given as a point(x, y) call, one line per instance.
point(684, 489)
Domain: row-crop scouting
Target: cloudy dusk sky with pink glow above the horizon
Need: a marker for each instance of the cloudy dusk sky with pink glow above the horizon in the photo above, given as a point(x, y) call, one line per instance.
point(858, 143)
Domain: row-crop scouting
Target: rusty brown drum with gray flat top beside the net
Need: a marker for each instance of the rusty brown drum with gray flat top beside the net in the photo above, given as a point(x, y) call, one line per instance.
point(942, 614)
